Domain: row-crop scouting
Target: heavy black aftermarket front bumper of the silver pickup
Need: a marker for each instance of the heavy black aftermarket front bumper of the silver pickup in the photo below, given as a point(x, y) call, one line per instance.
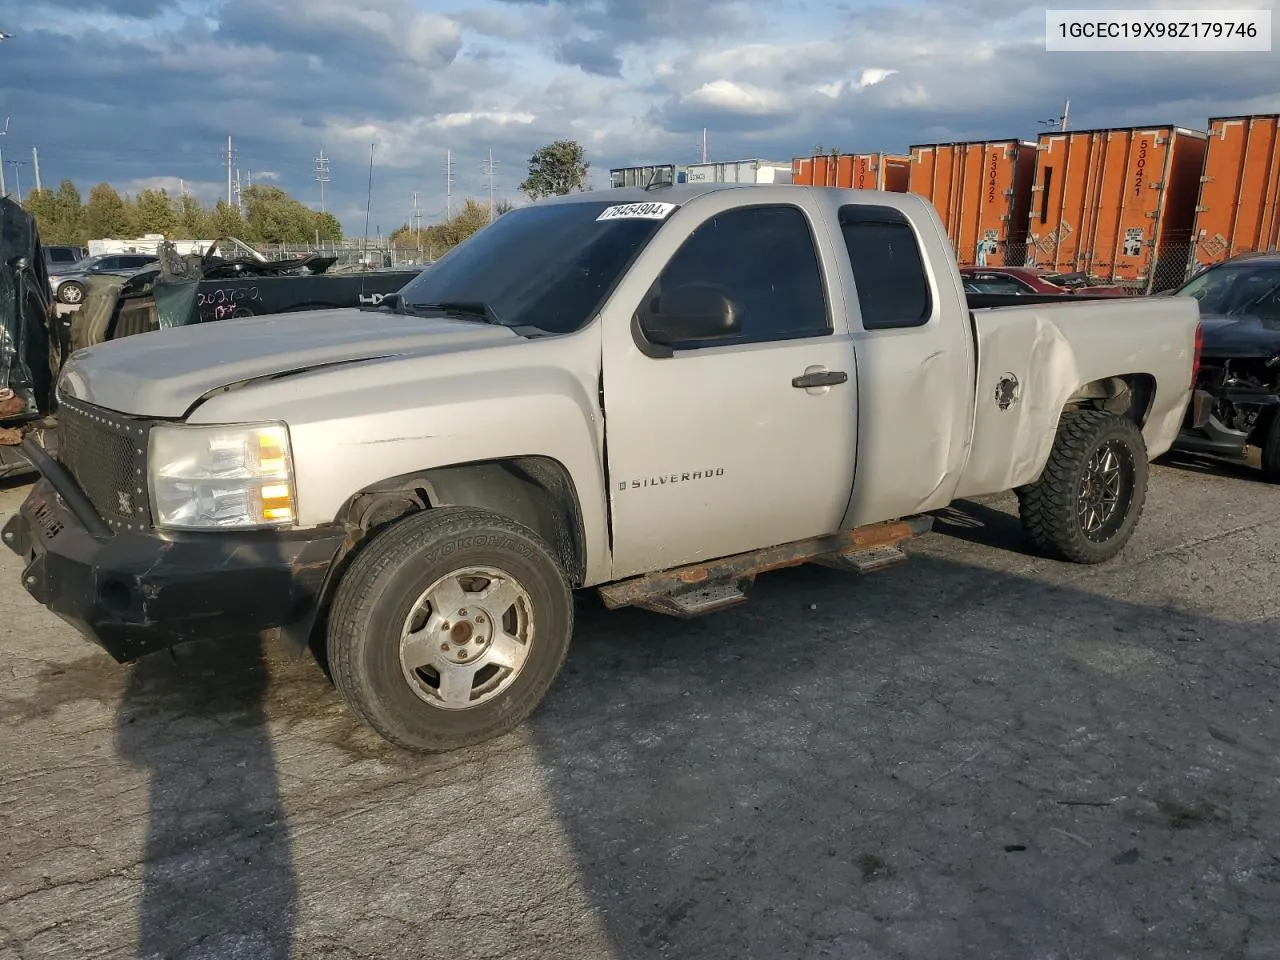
point(136, 593)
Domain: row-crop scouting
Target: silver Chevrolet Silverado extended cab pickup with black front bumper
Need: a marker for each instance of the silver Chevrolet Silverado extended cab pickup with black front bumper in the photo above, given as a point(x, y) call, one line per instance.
point(657, 394)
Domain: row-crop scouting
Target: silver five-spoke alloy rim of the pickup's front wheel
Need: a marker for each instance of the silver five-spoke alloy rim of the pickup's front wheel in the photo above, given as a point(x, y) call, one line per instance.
point(468, 638)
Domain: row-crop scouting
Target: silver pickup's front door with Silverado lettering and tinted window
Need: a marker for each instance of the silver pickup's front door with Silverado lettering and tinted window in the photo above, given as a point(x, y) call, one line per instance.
point(724, 447)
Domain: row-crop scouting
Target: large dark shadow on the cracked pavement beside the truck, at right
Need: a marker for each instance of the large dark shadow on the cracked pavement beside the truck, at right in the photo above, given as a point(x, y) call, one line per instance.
point(920, 764)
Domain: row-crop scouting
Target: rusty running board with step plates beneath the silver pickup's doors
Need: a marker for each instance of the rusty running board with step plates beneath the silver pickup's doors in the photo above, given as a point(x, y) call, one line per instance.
point(717, 586)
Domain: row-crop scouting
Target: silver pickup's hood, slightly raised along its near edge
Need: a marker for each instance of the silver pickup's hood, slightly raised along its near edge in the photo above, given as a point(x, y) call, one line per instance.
point(162, 374)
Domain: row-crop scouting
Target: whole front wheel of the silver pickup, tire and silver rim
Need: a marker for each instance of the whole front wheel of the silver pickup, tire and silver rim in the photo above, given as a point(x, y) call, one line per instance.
point(450, 629)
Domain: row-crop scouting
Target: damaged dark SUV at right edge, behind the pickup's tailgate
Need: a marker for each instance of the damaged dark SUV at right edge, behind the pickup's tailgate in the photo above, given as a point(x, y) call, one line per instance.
point(1238, 387)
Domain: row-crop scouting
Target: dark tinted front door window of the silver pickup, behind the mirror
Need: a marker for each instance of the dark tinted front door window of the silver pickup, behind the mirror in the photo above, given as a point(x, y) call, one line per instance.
point(765, 260)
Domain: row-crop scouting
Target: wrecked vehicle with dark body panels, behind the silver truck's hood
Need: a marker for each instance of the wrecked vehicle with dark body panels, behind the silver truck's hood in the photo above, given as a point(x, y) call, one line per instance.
point(228, 281)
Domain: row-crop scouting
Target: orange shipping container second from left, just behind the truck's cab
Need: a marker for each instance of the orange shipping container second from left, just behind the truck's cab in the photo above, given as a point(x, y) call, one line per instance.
point(982, 193)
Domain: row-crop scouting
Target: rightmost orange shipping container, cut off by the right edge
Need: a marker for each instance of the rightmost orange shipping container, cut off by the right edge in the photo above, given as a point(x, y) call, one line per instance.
point(1240, 195)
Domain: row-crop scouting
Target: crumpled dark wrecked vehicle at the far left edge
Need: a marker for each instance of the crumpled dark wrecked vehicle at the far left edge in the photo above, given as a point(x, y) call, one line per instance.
point(29, 354)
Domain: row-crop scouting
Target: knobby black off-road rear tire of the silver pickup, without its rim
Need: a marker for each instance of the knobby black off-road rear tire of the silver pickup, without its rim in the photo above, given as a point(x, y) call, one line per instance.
point(1049, 506)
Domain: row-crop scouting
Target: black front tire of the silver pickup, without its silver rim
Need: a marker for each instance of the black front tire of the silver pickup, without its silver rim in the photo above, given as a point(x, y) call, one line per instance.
point(378, 593)
